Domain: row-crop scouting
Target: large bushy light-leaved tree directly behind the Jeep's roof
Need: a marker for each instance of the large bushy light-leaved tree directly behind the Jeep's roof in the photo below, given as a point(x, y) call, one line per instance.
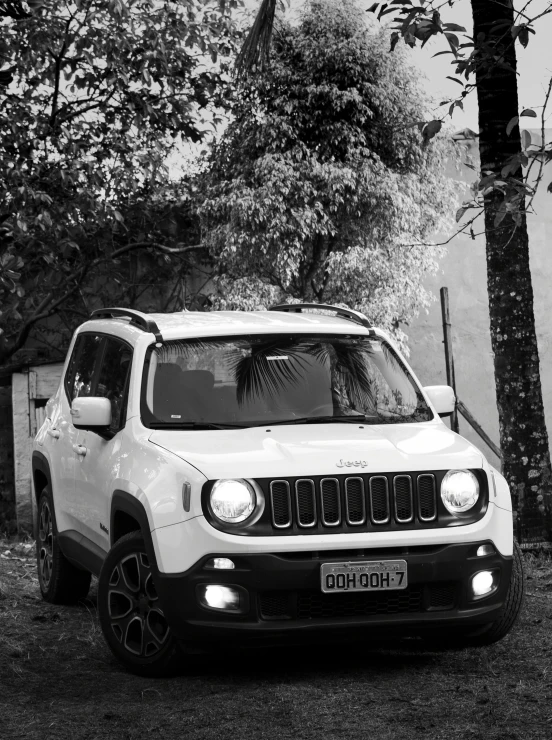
point(320, 180)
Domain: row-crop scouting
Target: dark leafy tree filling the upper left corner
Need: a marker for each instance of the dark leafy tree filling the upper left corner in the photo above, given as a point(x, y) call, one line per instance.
point(98, 94)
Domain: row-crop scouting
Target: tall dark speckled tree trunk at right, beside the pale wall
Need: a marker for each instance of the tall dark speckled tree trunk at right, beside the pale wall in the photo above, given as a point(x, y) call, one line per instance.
point(523, 435)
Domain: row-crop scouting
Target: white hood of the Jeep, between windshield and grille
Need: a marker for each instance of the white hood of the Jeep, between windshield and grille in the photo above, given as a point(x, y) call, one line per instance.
point(320, 449)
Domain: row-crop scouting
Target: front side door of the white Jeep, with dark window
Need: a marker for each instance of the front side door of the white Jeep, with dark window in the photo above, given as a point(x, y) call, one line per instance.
point(97, 468)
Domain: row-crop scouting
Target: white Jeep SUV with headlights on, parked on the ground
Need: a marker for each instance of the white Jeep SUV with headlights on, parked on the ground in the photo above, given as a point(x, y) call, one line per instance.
point(262, 477)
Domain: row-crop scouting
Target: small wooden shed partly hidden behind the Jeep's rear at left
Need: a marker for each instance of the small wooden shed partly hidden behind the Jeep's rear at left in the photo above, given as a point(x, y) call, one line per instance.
point(32, 386)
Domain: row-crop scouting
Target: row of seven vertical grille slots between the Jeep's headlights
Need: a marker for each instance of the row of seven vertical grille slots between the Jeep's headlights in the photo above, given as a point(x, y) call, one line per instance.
point(355, 501)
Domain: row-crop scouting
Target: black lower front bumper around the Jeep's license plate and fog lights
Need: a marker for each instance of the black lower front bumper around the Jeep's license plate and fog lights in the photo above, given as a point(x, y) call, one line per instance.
point(285, 603)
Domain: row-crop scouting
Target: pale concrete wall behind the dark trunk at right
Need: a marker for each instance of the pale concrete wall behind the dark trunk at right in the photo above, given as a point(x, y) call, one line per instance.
point(463, 271)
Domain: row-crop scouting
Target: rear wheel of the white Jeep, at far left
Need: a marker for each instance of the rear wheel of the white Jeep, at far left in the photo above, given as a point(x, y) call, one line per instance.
point(60, 581)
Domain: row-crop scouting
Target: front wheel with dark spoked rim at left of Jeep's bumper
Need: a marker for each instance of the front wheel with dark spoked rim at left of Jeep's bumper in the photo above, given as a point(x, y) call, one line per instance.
point(131, 618)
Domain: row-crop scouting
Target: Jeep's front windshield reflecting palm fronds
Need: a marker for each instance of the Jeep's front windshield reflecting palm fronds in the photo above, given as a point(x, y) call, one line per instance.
point(278, 379)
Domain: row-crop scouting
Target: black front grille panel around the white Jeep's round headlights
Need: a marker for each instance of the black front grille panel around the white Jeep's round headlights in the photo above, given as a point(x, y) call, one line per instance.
point(358, 502)
